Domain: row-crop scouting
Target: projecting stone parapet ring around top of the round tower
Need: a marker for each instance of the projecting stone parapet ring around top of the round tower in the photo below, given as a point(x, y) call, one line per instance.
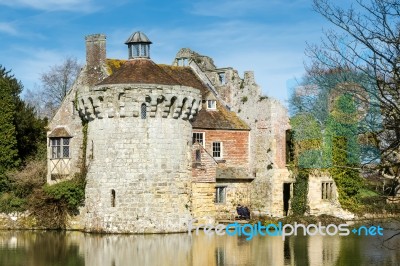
point(138, 100)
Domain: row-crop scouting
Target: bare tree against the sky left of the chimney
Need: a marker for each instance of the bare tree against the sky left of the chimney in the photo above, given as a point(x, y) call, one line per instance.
point(55, 85)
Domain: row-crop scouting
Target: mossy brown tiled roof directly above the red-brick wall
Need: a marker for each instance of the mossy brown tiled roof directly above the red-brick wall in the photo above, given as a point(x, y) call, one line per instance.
point(221, 118)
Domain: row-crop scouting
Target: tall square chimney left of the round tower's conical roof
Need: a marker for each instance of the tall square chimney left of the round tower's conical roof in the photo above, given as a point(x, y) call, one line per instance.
point(95, 57)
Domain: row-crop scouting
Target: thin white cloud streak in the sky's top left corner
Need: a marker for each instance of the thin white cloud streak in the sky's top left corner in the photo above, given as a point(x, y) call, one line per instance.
point(51, 5)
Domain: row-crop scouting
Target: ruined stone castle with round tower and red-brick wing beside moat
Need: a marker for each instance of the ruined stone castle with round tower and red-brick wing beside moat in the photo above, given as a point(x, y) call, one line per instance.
point(167, 144)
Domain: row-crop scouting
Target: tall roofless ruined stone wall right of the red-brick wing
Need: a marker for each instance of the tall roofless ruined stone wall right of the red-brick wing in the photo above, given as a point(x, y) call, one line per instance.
point(268, 120)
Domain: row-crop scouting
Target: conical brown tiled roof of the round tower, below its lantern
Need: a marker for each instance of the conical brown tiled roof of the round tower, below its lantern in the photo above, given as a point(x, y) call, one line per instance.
point(142, 71)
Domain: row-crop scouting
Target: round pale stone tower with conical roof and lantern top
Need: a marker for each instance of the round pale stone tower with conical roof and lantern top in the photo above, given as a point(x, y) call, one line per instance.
point(138, 147)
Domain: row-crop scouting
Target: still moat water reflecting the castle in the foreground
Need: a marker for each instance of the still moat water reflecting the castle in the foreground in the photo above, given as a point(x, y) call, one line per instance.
point(54, 248)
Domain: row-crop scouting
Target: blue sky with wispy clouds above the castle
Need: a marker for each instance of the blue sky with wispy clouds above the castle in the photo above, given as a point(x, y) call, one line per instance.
point(268, 37)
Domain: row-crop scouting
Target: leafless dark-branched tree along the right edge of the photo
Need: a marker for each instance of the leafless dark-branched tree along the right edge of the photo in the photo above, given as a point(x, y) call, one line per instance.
point(366, 41)
